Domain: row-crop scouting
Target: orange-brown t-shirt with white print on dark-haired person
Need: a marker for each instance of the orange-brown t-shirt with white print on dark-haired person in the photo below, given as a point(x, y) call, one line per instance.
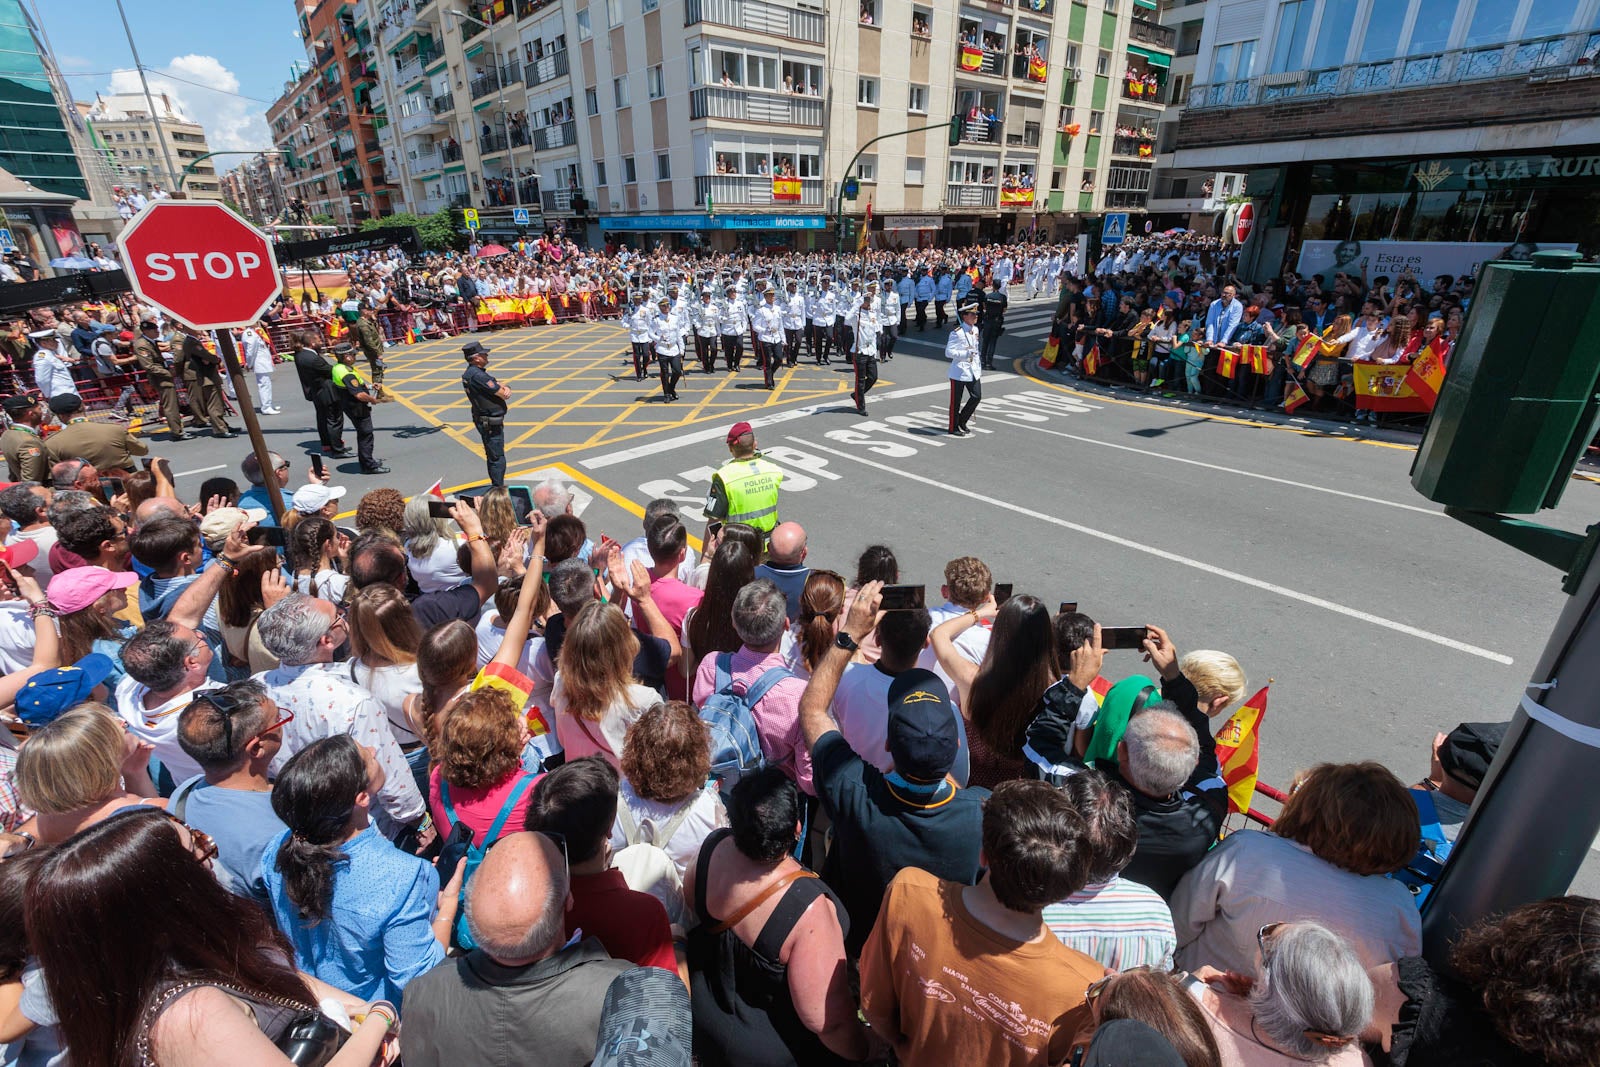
point(946, 989)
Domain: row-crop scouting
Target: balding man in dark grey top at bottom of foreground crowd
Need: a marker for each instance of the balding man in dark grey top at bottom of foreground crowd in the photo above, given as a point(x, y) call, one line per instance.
point(521, 981)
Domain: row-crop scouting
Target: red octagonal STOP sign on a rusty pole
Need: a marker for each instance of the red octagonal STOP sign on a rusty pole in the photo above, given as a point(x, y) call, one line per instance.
point(201, 263)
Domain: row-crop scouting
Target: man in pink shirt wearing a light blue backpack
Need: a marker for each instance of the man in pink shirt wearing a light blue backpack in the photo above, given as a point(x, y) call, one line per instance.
point(761, 618)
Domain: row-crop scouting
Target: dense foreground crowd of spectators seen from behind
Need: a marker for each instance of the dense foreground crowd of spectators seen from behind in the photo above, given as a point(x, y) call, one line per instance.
point(250, 789)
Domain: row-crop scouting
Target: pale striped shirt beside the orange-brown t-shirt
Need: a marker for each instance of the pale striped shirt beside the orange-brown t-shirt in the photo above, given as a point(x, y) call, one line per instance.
point(1119, 924)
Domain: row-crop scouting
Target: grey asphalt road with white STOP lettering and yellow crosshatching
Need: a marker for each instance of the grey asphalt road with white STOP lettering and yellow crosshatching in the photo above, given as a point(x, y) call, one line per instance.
point(1302, 551)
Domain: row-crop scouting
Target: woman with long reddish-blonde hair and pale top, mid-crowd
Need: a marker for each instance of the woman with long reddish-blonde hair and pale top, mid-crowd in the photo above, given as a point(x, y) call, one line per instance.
point(596, 697)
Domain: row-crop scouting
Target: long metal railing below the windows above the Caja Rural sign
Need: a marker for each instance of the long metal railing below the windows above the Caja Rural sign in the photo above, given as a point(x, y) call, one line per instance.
point(1540, 57)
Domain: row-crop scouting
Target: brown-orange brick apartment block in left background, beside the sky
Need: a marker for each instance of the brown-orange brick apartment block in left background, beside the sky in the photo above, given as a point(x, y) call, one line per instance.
point(329, 122)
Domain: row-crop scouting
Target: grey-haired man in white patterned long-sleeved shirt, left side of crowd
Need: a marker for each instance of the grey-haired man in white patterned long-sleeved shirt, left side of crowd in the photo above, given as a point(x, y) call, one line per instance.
point(305, 633)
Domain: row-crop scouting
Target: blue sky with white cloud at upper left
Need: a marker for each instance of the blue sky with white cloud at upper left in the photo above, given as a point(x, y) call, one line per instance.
point(241, 49)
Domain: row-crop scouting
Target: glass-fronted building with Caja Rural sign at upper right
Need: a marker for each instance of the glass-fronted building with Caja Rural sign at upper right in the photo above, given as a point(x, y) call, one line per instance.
point(1375, 132)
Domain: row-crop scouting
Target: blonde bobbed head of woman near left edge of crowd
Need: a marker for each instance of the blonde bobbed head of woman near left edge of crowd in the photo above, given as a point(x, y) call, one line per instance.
point(81, 769)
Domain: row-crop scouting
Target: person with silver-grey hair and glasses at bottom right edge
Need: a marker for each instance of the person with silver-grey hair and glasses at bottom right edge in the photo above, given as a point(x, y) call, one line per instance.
point(1308, 1002)
